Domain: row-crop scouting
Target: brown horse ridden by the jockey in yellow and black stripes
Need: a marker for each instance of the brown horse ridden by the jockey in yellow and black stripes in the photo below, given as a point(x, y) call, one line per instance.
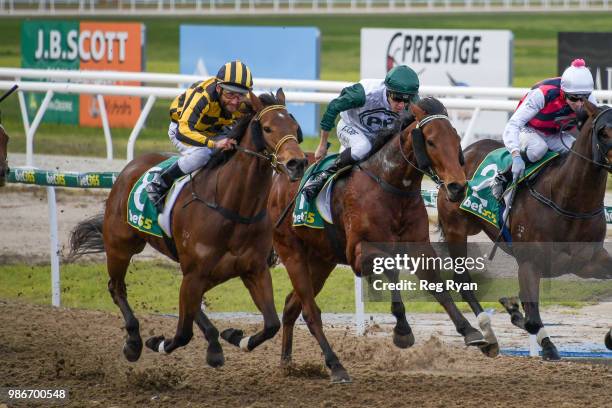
point(213, 242)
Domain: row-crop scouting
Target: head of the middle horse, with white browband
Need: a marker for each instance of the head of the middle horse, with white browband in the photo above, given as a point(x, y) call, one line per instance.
point(437, 146)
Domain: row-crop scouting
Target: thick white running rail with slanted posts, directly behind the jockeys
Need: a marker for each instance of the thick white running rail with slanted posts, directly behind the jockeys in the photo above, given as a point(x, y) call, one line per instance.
point(309, 92)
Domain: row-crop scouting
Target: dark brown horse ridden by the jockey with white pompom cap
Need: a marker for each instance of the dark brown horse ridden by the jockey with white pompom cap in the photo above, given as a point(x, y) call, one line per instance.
point(563, 205)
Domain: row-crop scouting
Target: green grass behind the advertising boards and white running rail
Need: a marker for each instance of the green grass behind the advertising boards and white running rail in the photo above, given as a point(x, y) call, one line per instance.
point(535, 53)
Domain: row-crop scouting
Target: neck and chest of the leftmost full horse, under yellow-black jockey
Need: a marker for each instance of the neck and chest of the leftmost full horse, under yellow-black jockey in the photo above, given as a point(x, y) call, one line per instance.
point(243, 183)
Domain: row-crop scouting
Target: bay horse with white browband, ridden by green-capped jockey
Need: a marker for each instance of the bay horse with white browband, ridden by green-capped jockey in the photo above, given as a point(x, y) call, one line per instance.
point(380, 201)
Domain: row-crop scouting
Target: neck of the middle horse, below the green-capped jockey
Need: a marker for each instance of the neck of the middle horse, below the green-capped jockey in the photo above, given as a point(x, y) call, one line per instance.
point(390, 165)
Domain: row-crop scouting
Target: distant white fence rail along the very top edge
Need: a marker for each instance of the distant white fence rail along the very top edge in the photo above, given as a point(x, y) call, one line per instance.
point(241, 7)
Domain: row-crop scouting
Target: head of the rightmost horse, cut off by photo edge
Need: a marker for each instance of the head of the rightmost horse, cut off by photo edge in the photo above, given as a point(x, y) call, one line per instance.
point(598, 131)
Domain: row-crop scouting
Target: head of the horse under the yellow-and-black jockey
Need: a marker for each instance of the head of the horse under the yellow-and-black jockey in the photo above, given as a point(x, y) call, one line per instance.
point(276, 133)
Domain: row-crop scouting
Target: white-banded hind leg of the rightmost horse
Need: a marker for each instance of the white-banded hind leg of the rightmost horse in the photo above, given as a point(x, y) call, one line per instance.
point(457, 247)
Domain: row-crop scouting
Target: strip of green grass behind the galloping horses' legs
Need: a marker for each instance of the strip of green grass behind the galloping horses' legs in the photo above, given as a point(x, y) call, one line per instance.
point(153, 287)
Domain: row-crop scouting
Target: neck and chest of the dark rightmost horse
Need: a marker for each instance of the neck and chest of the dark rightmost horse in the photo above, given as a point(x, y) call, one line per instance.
point(578, 184)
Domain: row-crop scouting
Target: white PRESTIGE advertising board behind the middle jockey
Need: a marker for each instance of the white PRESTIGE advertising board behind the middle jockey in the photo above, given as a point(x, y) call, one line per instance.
point(445, 58)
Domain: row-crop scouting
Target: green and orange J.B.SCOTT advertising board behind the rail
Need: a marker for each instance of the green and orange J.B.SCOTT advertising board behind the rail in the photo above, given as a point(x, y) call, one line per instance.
point(84, 46)
